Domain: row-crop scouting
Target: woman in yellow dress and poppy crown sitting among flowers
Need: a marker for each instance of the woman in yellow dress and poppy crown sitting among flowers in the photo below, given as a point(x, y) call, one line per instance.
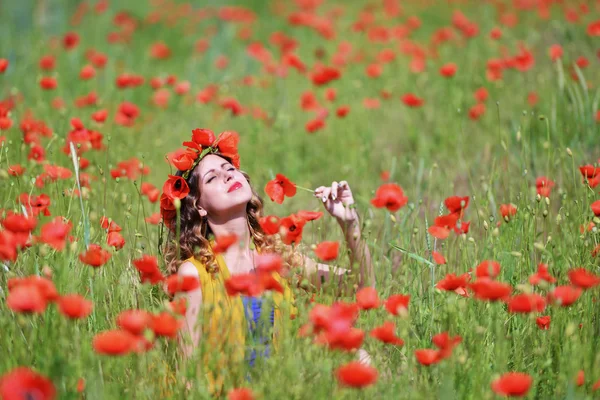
point(216, 200)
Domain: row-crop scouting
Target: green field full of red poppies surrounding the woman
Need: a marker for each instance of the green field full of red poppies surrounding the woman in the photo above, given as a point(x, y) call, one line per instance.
point(468, 132)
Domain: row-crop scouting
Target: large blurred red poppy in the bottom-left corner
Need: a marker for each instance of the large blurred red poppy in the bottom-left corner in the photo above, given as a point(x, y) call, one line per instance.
point(23, 383)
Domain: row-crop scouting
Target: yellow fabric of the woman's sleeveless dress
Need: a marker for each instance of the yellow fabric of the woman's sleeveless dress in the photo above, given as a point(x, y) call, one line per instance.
point(224, 325)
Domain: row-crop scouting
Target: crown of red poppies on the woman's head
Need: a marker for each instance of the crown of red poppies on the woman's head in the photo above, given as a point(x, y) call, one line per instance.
point(203, 143)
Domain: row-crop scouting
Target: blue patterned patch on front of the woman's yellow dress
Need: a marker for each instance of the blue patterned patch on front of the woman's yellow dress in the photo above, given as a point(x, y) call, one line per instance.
point(258, 333)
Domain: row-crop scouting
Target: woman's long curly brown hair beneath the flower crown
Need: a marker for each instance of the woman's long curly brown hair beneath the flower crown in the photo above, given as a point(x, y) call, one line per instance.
point(194, 236)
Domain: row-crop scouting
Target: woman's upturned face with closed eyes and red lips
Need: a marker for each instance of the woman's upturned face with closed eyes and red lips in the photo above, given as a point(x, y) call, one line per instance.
point(222, 186)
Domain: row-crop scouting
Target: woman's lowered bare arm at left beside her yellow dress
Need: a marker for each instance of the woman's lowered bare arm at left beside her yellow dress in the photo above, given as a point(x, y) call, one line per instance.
point(191, 332)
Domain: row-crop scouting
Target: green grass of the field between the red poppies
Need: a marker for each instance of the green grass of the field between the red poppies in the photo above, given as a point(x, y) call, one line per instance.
point(433, 152)
